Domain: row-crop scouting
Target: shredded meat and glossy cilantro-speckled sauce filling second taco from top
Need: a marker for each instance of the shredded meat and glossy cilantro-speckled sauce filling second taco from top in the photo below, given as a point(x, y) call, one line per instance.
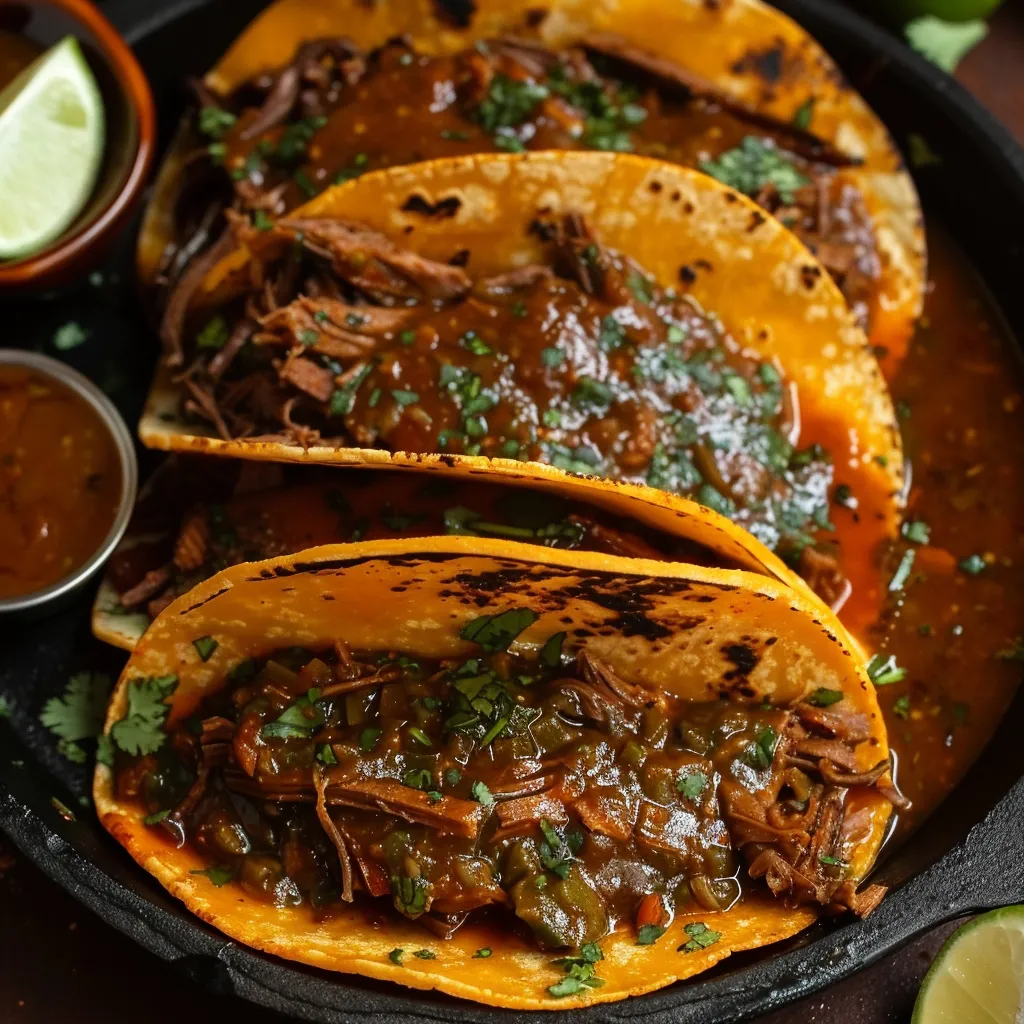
point(584, 363)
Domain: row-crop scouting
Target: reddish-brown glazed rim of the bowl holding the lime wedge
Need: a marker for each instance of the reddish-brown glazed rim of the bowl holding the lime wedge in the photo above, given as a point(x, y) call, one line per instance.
point(134, 84)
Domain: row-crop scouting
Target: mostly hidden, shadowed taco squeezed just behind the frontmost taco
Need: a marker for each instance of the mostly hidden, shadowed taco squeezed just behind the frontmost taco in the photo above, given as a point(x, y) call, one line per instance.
point(197, 517)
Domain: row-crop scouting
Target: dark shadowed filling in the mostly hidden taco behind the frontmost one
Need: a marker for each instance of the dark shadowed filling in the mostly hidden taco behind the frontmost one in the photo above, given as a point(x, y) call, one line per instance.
point(192, 526)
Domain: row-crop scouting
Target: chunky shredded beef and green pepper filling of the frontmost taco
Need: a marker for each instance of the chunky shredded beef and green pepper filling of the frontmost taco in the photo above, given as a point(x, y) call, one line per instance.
point(546, 790)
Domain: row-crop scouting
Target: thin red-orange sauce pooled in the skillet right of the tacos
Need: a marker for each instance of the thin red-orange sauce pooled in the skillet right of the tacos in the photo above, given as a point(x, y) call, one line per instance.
point(956, 626)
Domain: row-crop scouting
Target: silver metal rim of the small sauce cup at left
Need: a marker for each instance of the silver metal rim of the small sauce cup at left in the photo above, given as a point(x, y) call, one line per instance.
point(118, 431)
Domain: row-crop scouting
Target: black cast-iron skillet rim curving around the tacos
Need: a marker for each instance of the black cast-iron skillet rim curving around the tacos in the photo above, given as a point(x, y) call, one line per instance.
point(986, 870)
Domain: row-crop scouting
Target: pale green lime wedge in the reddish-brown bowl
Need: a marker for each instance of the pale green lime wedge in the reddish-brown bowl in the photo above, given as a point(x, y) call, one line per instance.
point(52, 144)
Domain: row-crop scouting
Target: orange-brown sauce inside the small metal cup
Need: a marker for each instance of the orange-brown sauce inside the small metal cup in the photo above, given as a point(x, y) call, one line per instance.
point(60, 482)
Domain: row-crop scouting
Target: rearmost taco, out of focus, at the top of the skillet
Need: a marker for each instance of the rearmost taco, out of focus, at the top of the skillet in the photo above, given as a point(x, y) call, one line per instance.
point(319, 92)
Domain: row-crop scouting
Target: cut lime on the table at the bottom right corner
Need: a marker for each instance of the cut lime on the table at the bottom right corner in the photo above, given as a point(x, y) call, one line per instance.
point(978, 976)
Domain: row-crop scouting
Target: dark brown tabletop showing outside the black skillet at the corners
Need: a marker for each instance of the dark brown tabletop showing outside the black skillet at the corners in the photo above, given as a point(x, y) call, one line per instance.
point(59, 963)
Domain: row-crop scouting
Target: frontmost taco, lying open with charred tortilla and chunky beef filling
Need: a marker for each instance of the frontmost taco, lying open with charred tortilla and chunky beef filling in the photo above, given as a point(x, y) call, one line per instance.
point(519, 777)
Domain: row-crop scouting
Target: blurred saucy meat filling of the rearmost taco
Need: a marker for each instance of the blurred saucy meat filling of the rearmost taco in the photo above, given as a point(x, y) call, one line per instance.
point(335, 113)
